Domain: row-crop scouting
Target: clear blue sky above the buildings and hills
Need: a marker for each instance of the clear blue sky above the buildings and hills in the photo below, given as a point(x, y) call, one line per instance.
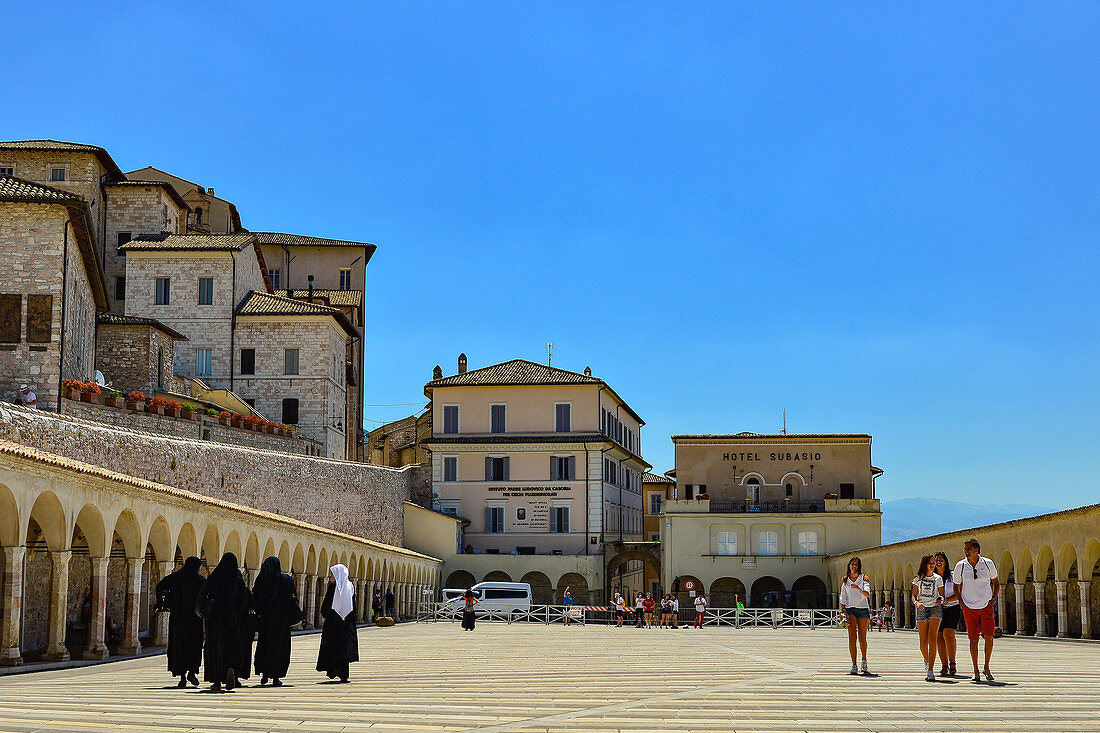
point(882, 218)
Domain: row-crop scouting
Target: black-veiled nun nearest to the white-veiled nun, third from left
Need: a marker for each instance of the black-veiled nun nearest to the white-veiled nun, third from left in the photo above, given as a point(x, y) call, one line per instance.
point(278, 606)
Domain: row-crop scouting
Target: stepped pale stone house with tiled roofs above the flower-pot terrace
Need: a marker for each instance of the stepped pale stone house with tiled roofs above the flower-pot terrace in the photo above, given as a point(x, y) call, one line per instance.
point(287, 358)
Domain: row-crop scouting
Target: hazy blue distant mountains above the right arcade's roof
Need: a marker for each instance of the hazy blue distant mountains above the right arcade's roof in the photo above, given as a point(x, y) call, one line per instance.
point(909, 519)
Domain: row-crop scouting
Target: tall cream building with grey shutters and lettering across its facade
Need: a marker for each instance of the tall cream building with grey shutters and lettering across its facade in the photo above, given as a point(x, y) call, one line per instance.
point(543, 462)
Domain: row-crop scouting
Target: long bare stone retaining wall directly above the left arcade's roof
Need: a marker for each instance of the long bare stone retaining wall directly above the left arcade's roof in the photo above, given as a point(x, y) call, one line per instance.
point(357, 499)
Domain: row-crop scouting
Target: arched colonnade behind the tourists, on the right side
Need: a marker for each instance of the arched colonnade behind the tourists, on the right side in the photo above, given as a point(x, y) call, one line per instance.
point(1049, 567)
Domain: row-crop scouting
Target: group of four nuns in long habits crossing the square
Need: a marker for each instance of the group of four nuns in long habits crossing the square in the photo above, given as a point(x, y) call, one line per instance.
point(215, 620)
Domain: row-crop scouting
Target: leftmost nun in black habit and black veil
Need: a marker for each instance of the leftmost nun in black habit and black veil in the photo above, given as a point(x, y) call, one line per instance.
point(178, 595)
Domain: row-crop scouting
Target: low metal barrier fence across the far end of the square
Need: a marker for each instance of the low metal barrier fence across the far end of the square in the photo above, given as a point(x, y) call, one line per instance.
point(602, 615)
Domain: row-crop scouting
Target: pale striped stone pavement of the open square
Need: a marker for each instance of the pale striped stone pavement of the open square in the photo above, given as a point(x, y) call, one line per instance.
point(433, 677)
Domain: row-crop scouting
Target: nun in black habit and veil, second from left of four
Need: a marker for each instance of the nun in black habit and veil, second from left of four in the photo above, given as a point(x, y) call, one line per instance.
point(224, 604)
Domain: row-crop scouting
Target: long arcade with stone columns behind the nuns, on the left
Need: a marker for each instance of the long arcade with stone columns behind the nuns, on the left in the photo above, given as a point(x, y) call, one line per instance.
point(82, 550)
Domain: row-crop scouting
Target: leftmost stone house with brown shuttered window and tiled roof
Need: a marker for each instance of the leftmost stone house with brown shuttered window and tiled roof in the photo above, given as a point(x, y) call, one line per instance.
point(51, 286)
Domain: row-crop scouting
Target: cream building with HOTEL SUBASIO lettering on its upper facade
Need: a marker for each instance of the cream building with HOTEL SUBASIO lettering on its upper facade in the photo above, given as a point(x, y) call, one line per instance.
point(756, 516)
